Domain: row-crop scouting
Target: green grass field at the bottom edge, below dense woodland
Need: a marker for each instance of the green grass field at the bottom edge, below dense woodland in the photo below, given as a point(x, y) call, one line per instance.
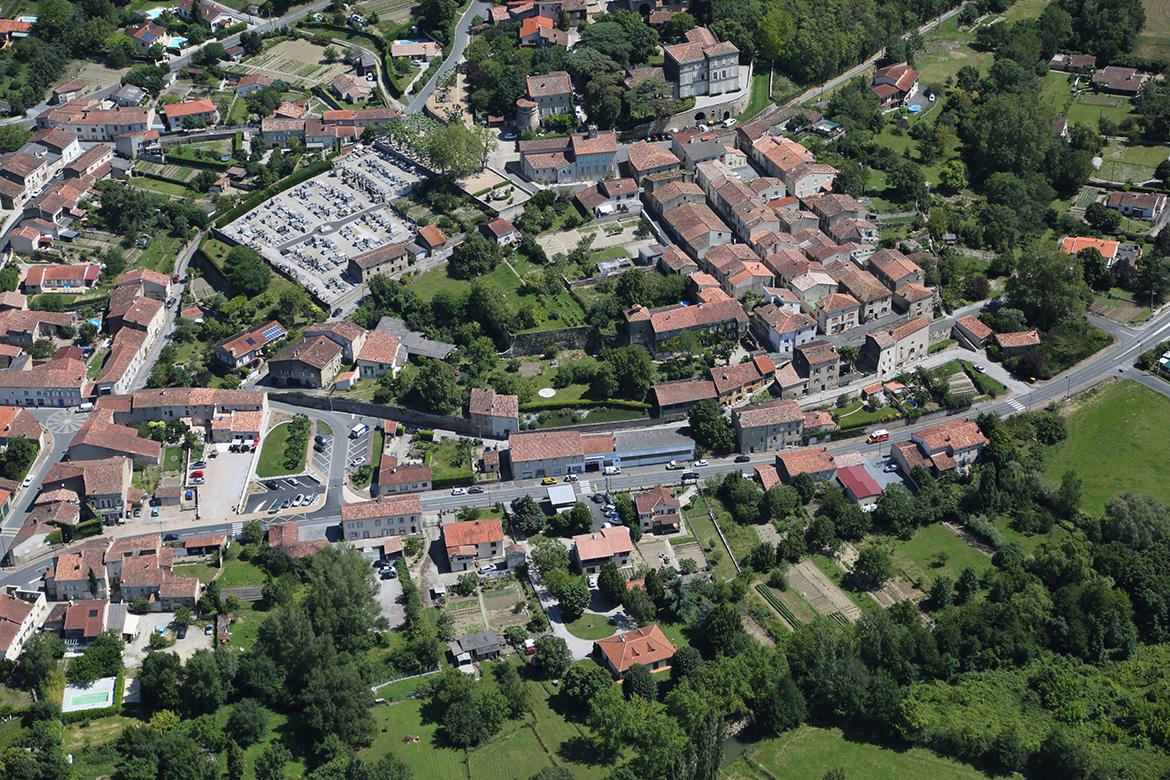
point(809, 753)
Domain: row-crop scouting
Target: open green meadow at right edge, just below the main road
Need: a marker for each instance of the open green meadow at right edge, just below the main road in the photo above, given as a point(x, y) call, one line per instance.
point(1117, 441)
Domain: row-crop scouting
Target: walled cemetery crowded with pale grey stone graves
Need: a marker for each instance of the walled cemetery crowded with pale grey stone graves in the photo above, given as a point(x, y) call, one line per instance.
point(312, 231)
